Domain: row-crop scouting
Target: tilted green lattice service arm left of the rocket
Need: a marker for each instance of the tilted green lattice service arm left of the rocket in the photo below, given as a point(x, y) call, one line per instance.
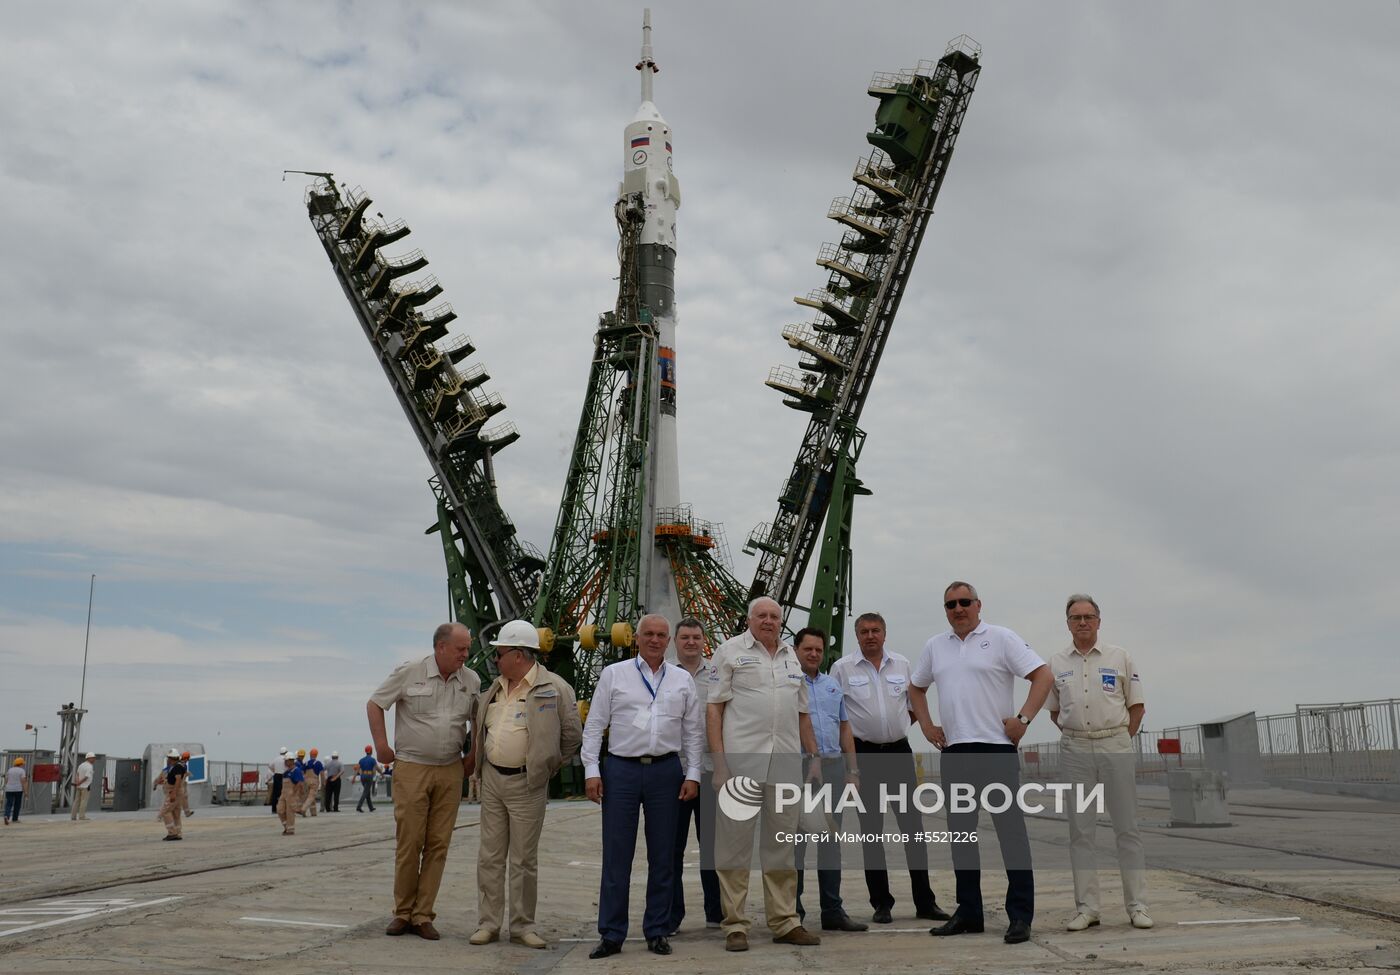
point(493, 575)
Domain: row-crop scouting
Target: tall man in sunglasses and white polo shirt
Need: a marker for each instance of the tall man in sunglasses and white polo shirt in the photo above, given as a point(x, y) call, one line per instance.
point(975, 666)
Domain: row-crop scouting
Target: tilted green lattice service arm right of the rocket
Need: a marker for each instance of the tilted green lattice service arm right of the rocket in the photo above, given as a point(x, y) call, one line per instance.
point(883, 222)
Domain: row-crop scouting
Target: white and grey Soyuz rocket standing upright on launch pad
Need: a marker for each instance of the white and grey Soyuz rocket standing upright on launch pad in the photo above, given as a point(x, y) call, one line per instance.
point(647, 170)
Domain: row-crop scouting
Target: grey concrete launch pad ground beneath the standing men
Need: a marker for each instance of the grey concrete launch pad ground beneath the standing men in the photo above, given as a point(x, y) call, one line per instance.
point(236, 896)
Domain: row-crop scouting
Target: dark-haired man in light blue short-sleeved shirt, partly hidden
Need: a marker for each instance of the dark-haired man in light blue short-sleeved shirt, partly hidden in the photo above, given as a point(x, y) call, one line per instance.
point(836, 754)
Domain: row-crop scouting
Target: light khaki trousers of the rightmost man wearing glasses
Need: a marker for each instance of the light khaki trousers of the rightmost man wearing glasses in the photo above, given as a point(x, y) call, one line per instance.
point(1111, 763)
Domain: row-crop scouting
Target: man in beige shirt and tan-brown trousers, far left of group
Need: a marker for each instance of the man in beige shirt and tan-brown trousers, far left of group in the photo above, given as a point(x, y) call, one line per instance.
point(433, 701)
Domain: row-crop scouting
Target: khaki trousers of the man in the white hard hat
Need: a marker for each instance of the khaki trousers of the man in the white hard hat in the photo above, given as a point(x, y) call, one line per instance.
point(512, 820)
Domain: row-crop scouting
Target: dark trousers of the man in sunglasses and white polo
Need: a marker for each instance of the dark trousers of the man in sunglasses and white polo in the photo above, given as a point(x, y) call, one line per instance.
point(981, 764)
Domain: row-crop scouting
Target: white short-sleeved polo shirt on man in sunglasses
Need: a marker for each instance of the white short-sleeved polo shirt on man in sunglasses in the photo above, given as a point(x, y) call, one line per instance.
point(976, 680)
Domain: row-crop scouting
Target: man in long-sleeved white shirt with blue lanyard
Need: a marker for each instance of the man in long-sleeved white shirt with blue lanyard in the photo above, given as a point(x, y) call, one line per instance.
point(652, 715)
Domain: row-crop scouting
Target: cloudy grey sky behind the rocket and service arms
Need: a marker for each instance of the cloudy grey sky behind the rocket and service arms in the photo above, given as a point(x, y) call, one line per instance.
point(1147, 351)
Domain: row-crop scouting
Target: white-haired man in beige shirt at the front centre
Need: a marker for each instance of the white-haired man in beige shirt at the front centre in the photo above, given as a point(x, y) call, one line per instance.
point(758, 729)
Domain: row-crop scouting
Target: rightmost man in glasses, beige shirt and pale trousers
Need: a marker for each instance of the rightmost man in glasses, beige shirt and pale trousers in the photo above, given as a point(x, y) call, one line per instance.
point(1097, 704)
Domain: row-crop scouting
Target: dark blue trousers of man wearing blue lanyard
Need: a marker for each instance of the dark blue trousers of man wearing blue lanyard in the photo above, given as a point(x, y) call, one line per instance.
point(629, 788)
